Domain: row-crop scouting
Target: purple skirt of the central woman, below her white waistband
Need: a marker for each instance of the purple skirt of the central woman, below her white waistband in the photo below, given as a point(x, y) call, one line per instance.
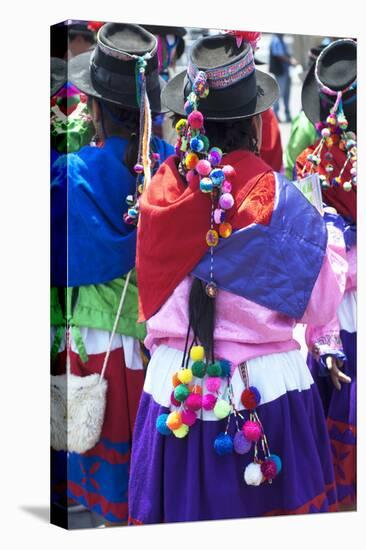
point(176, 480)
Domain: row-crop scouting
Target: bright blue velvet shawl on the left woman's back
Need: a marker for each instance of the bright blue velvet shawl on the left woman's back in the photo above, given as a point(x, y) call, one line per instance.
point(90, 243)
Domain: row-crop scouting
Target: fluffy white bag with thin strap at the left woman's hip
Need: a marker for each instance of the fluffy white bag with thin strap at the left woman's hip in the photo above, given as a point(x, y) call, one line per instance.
point(78, 402)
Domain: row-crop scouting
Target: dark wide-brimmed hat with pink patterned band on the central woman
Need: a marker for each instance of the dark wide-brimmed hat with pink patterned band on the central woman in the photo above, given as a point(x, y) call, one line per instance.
point(236, 88)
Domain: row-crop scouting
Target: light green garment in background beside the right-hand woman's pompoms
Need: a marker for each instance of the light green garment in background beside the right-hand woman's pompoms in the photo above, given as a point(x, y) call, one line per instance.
point(302, 135)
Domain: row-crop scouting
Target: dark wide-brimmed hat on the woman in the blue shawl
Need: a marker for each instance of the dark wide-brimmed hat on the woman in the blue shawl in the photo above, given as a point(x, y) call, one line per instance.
point(110, 71)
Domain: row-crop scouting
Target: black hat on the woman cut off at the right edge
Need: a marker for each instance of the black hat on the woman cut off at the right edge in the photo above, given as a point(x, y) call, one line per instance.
point(335, 69)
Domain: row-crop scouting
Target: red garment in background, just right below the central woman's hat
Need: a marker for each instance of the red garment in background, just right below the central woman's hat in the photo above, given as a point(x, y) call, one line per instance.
point(271, 148)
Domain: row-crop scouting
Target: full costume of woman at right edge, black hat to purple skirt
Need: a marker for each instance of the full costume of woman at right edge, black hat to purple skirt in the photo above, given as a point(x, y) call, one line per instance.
point(329, 101)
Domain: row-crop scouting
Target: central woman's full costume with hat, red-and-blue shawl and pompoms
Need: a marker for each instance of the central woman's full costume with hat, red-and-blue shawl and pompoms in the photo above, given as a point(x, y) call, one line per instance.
point(239, 432)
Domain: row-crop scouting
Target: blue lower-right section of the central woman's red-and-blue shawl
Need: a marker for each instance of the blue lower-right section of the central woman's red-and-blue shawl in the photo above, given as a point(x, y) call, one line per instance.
point(273, 265)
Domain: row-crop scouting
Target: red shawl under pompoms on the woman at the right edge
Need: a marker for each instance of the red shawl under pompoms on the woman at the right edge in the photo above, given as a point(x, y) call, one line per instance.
point(343, 201)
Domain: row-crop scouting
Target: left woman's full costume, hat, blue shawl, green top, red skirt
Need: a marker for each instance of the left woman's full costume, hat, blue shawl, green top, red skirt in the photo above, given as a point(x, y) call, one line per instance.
point(94, 215)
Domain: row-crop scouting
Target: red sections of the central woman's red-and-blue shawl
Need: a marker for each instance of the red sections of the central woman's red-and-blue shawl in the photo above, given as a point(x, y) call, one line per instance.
point(175, 218)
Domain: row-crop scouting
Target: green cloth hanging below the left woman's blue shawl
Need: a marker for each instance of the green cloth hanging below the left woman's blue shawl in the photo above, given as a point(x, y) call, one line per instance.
point(97, 306)
